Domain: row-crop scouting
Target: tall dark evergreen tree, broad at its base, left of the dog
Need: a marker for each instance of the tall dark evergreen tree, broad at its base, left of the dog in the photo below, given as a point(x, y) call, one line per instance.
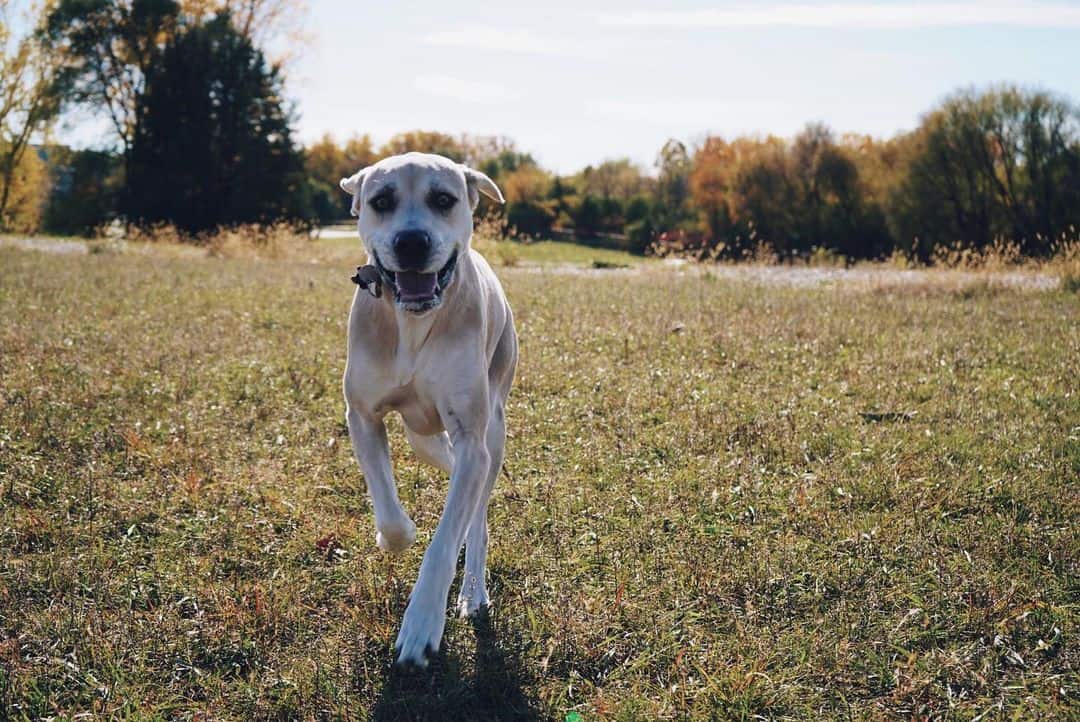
point(214, 144)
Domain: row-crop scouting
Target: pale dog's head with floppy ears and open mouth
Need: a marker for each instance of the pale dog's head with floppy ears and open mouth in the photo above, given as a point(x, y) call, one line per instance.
point(415, 219)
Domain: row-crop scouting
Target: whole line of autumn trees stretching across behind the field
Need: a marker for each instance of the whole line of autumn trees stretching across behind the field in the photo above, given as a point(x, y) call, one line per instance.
point(204, 139)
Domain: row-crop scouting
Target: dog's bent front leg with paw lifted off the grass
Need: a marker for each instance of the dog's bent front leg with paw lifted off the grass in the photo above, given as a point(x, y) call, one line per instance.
point(395, 530)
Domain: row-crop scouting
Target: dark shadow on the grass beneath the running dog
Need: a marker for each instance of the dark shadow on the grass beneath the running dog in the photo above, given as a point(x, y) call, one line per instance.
point(493, 688)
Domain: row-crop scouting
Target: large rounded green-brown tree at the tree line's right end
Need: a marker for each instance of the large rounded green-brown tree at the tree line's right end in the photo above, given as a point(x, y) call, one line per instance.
point(1002, 165)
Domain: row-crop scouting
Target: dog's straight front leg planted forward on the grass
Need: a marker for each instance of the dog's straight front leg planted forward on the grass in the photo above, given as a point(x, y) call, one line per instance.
point(426, 615)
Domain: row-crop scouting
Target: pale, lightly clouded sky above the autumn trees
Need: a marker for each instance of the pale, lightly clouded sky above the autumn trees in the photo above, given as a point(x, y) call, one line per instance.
point(577, 83)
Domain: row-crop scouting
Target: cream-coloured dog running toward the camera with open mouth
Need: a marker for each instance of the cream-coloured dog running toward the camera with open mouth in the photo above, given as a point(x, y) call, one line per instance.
point(433, 337)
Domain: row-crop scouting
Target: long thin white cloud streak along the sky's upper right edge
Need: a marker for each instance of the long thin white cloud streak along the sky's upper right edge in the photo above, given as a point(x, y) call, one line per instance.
point(859, 16)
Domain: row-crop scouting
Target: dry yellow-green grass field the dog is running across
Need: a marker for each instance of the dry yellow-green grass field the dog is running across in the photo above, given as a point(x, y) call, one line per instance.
point(723, 499)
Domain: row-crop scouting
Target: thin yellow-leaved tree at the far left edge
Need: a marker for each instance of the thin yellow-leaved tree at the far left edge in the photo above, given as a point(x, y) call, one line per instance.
point(30, 101)
